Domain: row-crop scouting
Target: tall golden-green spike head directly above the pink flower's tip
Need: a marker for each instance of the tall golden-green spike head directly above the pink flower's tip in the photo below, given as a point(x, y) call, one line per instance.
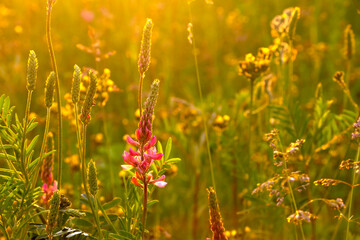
point(145, 48)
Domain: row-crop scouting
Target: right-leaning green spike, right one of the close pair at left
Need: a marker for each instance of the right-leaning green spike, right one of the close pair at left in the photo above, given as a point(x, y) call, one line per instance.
point(89, 99)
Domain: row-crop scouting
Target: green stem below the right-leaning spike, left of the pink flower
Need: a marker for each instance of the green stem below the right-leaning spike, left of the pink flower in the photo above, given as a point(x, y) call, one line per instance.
point(83, 171)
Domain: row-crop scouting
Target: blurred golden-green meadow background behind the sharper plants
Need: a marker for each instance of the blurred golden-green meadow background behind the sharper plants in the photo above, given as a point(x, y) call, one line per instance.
point(105, 36)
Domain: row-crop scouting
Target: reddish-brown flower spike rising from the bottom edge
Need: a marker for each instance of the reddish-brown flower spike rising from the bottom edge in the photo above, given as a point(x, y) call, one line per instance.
point(215, 217)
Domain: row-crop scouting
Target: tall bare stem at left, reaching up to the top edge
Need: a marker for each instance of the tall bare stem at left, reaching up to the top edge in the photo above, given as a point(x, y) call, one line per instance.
point(58, 95)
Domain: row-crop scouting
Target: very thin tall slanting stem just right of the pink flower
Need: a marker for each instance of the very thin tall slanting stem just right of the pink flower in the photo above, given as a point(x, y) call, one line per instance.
point(202, 103)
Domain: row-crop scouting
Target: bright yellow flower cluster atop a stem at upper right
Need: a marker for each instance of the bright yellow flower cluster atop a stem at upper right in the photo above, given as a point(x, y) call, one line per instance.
point(253, 67)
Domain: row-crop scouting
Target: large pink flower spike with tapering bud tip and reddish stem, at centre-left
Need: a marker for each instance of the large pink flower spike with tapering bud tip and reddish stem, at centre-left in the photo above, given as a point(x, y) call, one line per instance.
point(146, 154)
